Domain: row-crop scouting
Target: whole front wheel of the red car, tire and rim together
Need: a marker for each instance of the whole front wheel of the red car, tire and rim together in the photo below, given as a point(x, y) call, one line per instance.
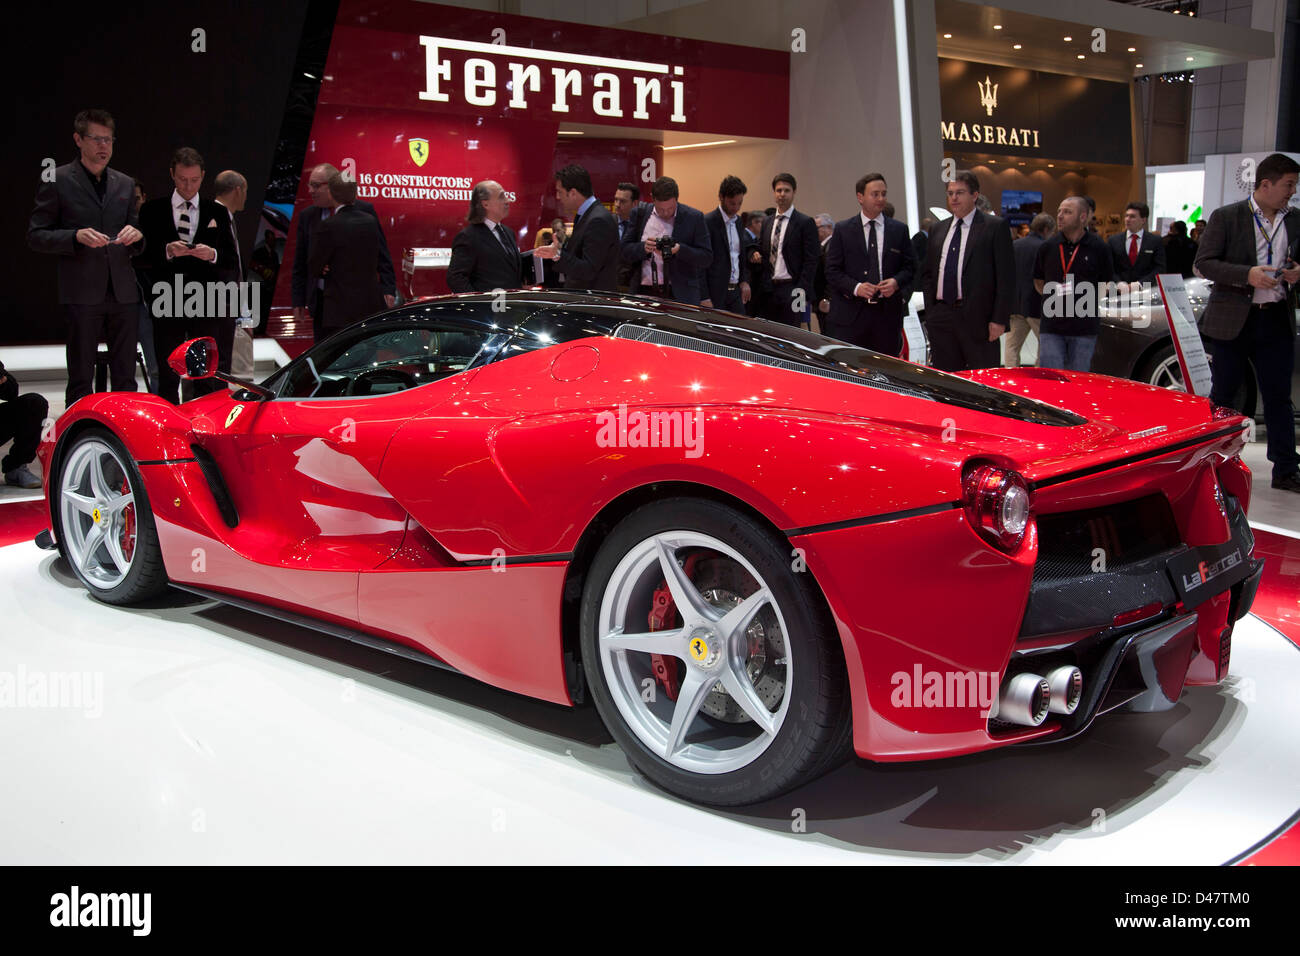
point(103, 521)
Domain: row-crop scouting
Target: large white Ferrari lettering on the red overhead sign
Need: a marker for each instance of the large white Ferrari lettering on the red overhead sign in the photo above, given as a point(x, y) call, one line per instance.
point(552, 83)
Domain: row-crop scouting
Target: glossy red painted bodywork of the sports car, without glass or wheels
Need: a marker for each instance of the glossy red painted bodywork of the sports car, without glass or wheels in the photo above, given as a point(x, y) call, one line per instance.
point(366, 511)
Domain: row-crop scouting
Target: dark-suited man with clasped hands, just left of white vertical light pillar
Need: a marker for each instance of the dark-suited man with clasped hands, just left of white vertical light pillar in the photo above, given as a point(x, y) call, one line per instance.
point(869, 266)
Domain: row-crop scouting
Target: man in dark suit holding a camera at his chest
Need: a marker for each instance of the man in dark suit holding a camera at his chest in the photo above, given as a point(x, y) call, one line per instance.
point(671, 244)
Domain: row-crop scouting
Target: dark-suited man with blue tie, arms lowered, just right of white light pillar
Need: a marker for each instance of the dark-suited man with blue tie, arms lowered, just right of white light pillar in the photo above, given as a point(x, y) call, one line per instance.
point(969, 283)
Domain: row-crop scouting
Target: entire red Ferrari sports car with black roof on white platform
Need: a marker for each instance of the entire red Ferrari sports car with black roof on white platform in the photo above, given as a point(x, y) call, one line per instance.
point(756, 550)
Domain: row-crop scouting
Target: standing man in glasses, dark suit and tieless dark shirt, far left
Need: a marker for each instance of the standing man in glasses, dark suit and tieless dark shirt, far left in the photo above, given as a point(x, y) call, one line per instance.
point(88, 218)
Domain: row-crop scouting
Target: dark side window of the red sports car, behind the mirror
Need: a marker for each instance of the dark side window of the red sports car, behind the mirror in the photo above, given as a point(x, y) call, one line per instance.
point(383, 361)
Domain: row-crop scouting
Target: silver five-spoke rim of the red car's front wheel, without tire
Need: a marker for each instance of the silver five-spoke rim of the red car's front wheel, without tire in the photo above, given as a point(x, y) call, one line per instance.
point(98, 517)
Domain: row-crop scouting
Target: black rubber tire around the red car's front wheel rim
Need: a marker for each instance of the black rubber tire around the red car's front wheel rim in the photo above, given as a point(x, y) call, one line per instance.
point(148, 577)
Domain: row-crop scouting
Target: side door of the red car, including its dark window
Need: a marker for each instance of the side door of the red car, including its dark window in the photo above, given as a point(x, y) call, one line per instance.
point(301, 470)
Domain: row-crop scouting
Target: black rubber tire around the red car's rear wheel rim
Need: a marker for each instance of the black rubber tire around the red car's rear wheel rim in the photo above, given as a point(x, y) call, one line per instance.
point(816, 734)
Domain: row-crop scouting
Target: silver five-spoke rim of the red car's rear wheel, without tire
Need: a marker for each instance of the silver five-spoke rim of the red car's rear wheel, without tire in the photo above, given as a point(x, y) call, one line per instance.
point(714, 644)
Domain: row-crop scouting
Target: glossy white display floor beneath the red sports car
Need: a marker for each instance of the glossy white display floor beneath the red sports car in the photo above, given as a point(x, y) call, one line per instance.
point(224, 738)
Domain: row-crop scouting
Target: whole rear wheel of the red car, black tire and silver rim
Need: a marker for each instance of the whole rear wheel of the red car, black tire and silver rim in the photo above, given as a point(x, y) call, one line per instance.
point(712, 661)
